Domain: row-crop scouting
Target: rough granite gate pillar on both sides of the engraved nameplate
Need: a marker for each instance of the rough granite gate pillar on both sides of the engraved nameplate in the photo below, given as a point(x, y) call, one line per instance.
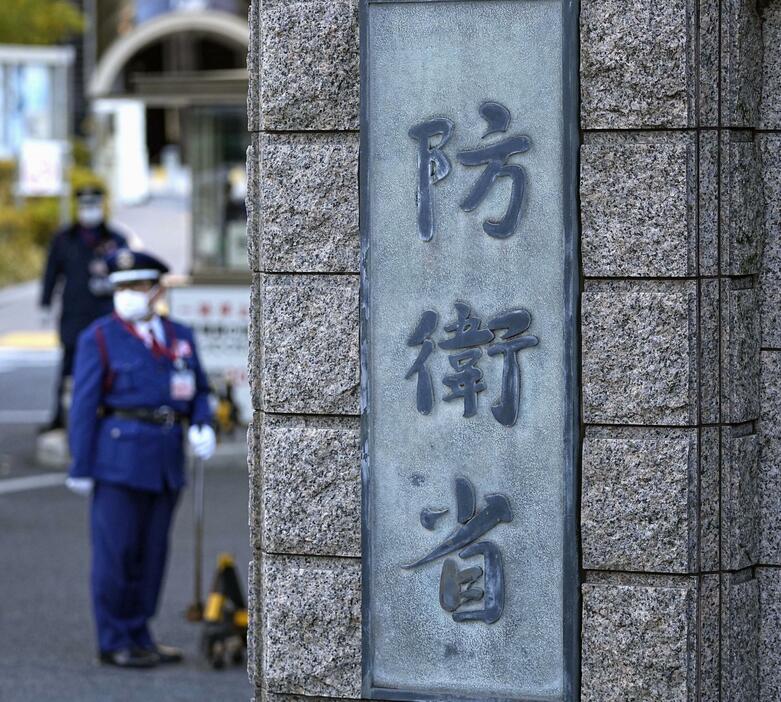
point(679, 468)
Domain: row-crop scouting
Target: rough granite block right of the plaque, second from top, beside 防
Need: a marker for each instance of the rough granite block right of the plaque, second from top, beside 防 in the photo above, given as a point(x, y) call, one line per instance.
point(638, 203)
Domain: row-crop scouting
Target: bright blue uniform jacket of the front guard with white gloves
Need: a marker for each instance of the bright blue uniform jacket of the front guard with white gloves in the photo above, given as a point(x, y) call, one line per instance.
point(121, 372)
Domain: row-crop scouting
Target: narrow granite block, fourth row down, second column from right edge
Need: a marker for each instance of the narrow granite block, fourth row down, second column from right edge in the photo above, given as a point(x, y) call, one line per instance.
point(740, 516)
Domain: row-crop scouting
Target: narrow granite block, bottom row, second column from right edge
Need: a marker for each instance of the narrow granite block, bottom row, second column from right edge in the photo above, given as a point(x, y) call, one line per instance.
point(739, 637)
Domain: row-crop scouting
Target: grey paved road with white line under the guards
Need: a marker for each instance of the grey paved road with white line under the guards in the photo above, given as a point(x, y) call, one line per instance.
point(47, 649)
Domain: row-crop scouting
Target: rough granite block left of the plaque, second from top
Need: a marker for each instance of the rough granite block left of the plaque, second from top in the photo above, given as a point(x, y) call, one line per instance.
point(309, 203)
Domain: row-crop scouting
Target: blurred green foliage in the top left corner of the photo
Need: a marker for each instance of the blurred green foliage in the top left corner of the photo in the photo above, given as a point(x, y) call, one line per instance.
point(39, 21)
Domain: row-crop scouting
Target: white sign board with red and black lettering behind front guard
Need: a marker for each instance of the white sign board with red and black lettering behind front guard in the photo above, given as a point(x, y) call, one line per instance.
point(219, 314)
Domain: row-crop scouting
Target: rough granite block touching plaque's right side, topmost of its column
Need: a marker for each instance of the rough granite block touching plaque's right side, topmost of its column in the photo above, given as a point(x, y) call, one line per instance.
point(636, 65)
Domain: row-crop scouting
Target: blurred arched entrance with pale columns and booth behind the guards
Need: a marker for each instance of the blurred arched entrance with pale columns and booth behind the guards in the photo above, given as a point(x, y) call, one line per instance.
point(169, 101)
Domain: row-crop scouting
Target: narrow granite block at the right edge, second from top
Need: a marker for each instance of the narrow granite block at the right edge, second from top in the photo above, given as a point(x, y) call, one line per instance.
point(770, 149)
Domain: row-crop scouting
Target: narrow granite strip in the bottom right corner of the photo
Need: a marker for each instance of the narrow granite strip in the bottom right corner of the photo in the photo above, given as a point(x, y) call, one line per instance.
point(769, 634)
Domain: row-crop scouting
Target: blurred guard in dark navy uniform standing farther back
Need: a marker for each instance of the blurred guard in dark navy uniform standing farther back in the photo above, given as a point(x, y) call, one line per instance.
point(77, 257)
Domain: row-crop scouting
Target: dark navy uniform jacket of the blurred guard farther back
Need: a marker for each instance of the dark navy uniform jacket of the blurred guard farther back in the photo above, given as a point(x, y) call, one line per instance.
point(78, 257)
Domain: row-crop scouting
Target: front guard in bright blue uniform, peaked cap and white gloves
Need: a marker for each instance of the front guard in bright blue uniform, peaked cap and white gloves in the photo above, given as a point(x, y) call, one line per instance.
point(138, 389)
